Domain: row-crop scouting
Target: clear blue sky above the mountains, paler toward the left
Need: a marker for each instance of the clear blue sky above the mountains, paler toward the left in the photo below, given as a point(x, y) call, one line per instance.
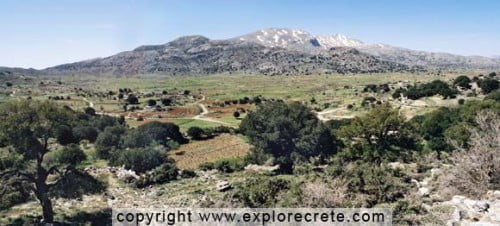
point(42, 33)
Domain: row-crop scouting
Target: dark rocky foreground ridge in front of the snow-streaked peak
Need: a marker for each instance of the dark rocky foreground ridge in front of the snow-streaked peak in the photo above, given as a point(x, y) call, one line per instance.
point(200, 55)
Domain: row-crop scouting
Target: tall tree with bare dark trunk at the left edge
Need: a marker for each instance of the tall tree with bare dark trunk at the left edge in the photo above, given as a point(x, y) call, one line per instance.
point(27, 126)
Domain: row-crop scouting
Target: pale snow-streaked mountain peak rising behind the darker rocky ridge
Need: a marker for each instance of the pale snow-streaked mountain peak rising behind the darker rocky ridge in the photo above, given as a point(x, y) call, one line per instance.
point(302, 41)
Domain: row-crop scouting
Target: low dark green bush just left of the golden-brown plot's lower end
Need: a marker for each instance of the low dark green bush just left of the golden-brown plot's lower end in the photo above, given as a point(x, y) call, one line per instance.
point(140, 160)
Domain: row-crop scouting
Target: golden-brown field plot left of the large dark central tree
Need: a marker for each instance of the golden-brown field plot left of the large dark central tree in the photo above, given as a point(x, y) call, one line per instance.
point(191, 155)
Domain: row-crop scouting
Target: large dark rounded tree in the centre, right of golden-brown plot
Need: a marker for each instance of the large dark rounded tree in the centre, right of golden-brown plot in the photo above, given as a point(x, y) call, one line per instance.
point(287, 132)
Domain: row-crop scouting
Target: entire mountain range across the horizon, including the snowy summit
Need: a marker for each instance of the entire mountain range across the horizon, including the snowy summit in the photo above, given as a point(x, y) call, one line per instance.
point(273, 51)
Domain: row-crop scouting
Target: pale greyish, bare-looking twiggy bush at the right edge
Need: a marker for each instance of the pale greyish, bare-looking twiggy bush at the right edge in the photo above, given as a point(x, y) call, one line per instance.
point(475, 170)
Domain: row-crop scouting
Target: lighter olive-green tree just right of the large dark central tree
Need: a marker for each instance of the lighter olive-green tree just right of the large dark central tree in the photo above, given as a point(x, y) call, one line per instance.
point(380, 134)
